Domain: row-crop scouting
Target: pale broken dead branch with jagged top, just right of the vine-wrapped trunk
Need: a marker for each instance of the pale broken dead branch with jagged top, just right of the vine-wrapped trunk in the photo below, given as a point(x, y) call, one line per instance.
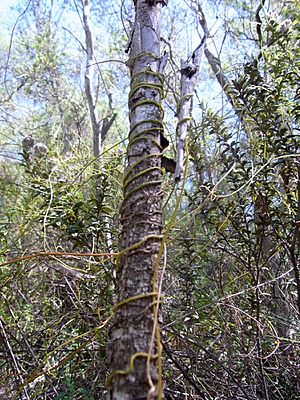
point(189, 75)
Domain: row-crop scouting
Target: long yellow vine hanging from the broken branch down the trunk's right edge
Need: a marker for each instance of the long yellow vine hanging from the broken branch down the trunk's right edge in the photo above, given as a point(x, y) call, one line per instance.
point(156, 332)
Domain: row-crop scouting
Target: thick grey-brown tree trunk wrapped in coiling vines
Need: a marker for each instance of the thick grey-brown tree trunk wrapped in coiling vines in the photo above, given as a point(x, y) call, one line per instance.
point(132, 332)
